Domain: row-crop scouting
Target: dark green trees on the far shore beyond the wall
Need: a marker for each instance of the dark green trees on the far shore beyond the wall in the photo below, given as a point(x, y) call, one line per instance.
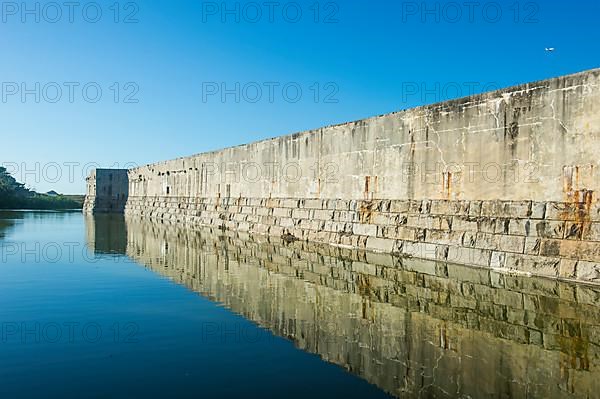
point(14, 195)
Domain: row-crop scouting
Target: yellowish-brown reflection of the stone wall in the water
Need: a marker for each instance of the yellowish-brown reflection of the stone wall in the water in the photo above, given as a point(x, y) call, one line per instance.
point(414, 328)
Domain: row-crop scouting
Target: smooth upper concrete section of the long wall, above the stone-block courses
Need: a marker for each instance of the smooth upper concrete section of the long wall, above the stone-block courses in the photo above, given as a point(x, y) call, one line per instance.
point(534, 142)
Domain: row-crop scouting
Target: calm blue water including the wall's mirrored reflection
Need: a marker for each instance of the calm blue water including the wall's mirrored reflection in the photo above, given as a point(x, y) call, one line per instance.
point(105, 307)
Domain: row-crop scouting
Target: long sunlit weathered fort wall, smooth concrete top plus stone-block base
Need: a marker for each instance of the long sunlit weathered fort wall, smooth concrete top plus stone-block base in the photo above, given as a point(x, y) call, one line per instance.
point(502, 180)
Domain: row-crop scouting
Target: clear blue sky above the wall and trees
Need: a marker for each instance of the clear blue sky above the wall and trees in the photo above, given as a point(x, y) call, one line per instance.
point(372, 57)
